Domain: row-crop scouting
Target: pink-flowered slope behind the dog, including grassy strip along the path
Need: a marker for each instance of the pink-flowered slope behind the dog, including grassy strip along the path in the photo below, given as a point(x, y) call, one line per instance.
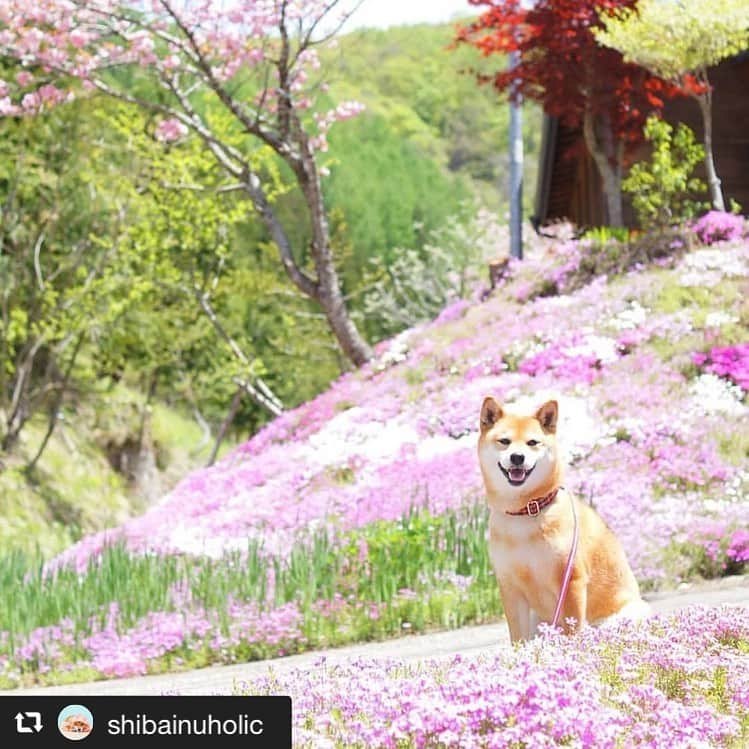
point(360, 514)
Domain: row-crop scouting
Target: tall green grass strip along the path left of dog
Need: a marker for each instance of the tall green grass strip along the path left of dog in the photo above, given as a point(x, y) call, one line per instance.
point(418, 573)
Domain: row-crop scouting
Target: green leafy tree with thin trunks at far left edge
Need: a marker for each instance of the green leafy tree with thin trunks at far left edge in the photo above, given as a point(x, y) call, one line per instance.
point(64, 280)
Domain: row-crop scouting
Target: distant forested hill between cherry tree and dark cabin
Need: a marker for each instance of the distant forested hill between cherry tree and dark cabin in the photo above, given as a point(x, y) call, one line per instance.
point(430, 145)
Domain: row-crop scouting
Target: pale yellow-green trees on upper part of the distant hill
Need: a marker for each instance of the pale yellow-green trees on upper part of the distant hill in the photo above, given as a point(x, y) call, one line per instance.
point(425, 90)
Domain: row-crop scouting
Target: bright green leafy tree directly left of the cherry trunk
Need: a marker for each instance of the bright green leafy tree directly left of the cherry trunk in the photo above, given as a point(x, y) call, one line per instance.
point(219, 327)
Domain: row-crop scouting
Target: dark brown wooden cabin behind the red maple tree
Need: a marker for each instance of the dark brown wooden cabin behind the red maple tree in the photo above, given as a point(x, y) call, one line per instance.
point(569, 186)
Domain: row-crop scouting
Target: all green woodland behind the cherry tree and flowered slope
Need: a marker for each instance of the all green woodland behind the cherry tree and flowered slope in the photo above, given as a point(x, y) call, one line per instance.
point(152, 380)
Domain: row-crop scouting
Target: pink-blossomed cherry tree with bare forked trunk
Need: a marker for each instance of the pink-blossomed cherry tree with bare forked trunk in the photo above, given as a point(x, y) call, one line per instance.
point(256, 61)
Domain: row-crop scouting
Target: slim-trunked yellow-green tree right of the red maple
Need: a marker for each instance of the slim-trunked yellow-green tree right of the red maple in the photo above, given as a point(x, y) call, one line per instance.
point(678, 40)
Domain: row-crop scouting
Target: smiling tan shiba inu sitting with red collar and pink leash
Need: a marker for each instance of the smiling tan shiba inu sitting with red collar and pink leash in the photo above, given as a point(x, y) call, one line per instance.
point(531, 529)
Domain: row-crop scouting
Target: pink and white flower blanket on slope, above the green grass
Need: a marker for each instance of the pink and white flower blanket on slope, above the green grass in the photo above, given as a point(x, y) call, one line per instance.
point(649, 400)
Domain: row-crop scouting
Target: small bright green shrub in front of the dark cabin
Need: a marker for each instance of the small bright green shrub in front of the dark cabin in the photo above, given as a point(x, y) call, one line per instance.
point(662, 188)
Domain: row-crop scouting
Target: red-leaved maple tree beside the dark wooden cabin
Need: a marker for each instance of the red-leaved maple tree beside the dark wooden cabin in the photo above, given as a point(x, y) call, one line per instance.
point(563, 67)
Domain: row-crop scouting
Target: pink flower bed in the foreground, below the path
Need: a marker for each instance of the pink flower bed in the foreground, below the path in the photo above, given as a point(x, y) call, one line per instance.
point(638, 686)
